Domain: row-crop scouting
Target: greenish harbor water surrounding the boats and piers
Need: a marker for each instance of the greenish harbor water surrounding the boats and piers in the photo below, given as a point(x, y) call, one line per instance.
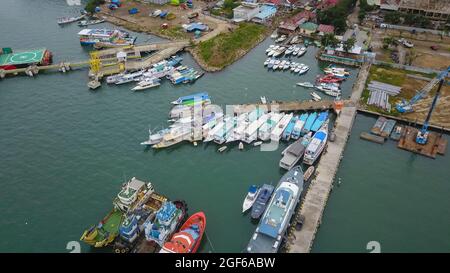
point(66, 150)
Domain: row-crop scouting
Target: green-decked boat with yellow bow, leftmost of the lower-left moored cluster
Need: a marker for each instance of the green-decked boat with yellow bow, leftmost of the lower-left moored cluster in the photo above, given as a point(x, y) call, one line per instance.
point(105, 232)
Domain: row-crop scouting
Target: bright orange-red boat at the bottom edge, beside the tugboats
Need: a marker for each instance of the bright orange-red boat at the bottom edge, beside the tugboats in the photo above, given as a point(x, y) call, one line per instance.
point(188, 239)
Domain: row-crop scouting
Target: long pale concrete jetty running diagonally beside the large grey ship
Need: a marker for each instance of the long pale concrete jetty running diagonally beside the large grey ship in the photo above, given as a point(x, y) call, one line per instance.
point(317, 194)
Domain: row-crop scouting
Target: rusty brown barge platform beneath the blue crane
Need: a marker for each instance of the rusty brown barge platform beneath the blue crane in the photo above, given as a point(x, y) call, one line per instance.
point(436, 144)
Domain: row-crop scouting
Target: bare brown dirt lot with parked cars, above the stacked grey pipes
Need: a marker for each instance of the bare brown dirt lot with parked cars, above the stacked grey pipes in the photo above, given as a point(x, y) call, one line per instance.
point(423, 55)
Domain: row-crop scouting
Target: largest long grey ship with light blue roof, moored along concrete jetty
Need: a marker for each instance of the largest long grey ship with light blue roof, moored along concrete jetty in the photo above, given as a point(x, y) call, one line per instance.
point(272, 227)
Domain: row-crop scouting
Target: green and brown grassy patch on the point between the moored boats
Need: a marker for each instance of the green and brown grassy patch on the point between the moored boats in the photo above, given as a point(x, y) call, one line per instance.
point(225, 48)
